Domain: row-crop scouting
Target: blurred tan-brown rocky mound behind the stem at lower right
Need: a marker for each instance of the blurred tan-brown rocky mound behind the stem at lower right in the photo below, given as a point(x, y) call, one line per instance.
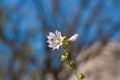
point(100, 62)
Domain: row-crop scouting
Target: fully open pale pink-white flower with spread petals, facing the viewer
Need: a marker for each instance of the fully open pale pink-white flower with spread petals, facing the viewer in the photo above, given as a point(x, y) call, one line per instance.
point(54, 39)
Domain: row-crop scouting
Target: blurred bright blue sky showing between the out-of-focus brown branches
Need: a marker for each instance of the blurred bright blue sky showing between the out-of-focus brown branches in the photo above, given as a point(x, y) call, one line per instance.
point(24, 15)
